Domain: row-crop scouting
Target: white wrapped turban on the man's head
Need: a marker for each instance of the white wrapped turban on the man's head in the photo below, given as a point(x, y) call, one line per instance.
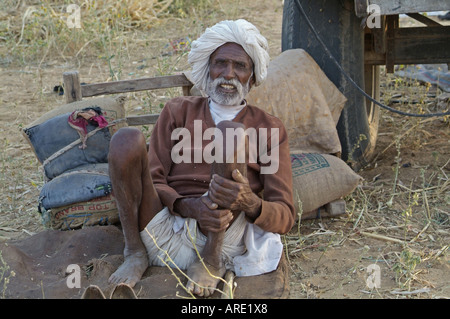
point(241, 32)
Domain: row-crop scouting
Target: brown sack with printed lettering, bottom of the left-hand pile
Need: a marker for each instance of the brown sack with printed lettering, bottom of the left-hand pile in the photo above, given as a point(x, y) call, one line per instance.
point(98, 211)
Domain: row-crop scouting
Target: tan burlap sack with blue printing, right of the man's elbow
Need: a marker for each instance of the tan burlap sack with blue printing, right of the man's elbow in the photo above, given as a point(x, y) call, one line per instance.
point(319, 179)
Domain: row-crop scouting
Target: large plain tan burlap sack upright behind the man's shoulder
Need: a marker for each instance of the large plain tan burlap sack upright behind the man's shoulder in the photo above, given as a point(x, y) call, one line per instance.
point(304, 99)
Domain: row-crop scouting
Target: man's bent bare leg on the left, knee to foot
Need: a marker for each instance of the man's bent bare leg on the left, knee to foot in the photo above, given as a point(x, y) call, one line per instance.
point(137, 200)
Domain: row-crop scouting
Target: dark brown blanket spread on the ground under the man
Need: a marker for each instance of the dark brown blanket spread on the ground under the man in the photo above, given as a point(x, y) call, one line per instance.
point(37, 267)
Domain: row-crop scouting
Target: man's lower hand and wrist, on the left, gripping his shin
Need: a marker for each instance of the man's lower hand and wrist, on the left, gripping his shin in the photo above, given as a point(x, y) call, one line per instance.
point(209, 218)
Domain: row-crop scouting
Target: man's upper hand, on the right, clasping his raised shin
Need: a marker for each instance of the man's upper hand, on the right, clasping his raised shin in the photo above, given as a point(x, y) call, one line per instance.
point(235, 195)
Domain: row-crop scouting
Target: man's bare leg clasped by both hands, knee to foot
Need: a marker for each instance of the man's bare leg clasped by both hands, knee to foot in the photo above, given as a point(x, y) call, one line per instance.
point(204, 281)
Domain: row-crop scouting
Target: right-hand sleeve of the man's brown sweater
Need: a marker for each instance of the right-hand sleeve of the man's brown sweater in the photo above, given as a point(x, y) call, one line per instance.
point(277, 210)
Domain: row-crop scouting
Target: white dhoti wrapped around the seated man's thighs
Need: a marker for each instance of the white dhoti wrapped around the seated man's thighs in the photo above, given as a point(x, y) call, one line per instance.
point(247, 249)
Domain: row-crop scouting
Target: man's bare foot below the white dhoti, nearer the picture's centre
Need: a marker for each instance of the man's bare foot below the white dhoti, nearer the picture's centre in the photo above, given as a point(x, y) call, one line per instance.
point(202, 283)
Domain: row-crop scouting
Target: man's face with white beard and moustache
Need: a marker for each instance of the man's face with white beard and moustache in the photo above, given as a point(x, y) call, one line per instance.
point(230, 74)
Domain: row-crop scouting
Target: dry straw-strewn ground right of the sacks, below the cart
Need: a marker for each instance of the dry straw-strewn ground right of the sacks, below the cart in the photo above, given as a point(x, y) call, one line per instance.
point(398, 218)
